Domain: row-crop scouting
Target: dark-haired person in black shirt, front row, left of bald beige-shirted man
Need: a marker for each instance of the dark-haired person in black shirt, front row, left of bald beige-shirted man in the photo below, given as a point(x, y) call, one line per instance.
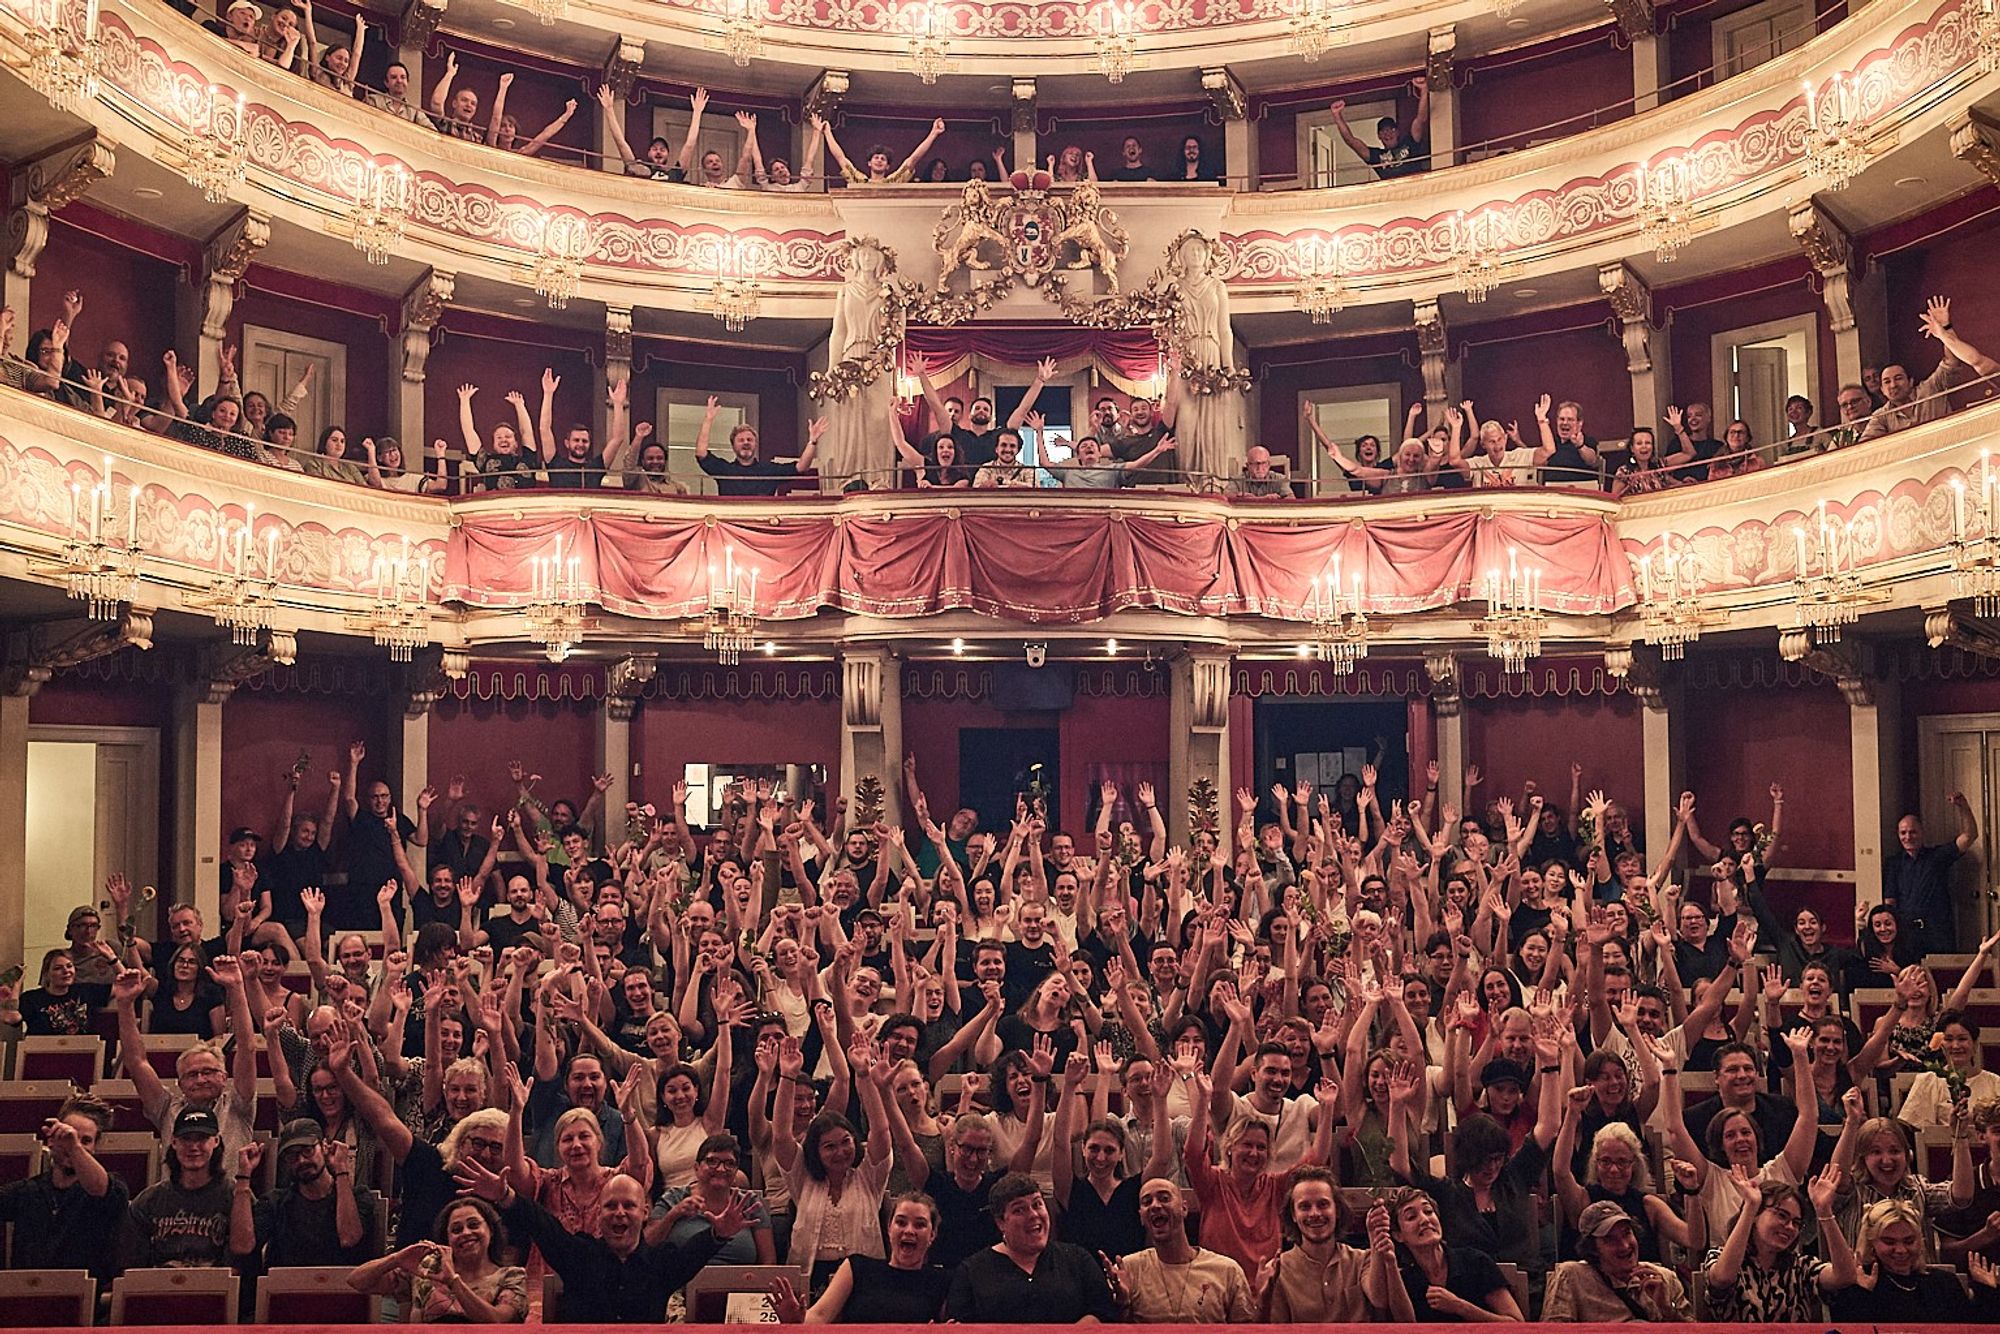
point(1027, 1277)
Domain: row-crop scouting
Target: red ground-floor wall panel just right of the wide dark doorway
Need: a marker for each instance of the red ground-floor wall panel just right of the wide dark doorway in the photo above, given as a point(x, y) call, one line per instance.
point(1521, 741)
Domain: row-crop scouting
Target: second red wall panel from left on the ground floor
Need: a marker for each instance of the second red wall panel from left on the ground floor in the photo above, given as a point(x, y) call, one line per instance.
point(479, 739)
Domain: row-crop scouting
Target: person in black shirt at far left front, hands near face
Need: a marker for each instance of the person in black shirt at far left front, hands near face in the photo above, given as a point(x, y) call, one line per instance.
point(71, 1213)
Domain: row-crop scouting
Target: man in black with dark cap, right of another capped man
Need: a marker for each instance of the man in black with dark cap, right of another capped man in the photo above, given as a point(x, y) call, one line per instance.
point(315, 1215)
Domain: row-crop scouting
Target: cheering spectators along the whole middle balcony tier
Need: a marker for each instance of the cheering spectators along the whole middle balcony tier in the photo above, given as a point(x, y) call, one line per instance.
point(963, 443)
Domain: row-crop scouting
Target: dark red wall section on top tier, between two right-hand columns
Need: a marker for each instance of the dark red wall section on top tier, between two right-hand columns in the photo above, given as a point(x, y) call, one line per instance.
point(1513, 103)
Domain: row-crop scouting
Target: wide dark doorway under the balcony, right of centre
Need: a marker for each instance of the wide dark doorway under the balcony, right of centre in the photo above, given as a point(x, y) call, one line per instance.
point(1323, 739)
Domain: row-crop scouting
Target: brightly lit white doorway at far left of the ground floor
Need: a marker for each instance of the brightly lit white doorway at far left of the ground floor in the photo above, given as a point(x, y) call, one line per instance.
point(93, 811)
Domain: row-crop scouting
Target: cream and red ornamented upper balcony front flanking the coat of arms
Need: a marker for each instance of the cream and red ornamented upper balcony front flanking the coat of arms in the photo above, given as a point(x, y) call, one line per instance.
point(1553, 215)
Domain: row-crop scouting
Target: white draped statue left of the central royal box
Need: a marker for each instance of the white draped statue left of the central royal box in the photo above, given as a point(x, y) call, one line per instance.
point(861, 429)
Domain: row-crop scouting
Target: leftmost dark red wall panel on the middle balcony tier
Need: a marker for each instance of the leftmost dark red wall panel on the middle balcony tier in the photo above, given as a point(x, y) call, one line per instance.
point(127, 297)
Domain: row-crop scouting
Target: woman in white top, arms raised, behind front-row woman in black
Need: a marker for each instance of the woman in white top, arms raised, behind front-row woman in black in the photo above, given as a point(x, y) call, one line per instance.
point(837, 1191)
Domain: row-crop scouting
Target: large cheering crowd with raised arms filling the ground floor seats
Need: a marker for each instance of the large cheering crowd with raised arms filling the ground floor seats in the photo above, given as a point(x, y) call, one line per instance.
point(1385, 1061)
